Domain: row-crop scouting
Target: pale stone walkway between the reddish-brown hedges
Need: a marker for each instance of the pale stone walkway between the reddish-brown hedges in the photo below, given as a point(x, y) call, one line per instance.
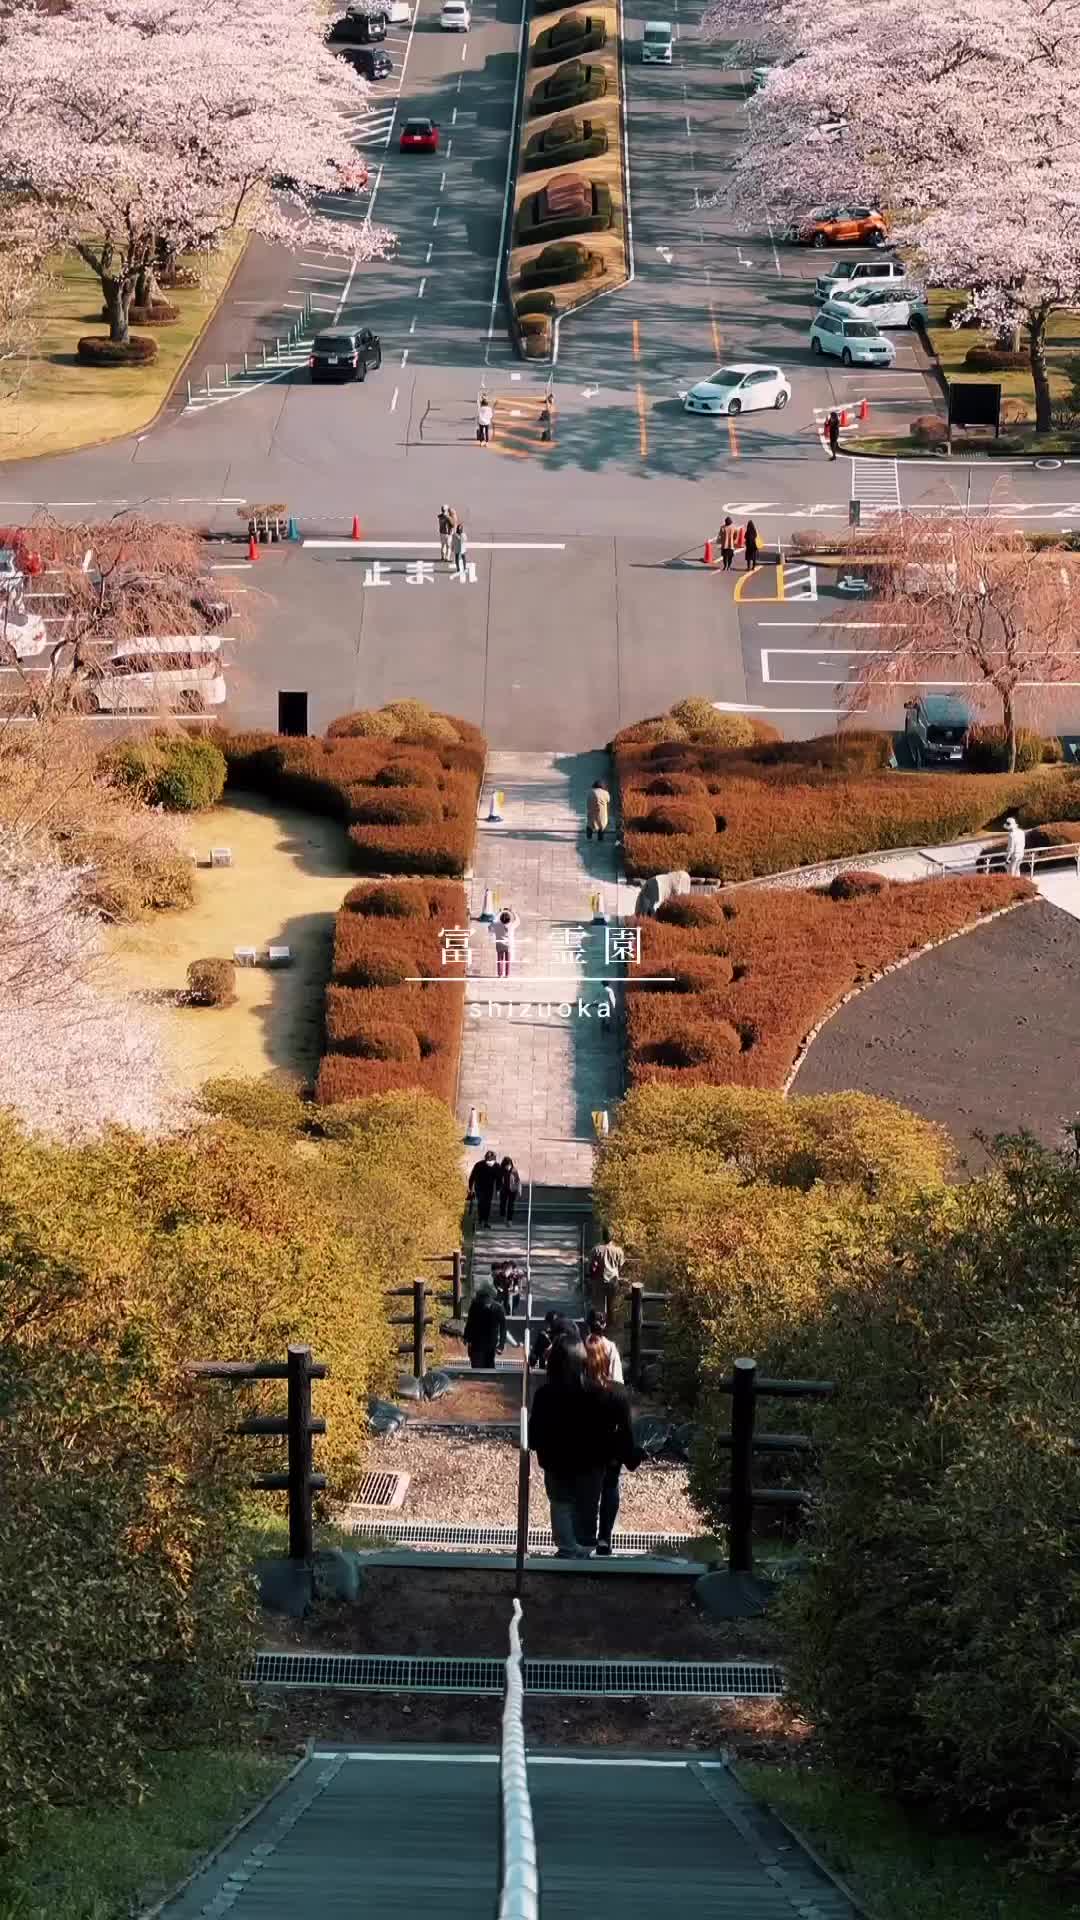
point(537, 1055)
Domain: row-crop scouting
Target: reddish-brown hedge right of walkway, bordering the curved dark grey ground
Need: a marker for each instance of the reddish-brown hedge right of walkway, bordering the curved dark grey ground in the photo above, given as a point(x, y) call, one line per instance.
point(756, 974)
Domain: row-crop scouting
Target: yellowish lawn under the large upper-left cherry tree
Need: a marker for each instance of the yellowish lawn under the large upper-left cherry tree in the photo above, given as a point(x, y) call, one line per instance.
point(62, 404)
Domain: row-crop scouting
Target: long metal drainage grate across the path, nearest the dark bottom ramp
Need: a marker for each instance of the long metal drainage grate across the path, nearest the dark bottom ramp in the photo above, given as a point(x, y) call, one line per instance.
point(418, 1673)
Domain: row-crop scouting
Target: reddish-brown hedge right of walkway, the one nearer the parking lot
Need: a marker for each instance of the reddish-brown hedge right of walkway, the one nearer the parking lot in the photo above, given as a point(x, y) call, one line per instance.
point(793, 805)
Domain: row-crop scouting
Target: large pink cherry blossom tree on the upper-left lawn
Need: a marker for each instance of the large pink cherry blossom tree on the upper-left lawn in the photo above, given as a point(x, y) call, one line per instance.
point(134, 126)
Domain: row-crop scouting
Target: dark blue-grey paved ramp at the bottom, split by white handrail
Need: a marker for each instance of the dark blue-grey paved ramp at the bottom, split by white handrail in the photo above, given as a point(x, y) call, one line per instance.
point(401, 1831)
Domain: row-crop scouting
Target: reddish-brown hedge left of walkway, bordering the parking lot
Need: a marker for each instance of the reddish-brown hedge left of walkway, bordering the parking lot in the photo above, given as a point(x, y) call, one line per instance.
point(403, 780)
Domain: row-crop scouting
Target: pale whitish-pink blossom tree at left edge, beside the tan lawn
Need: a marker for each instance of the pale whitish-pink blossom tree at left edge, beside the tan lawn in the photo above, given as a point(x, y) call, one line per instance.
point(74, 1057)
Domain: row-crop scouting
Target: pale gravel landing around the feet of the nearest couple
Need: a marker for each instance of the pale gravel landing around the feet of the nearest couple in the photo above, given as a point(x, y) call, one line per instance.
point(472, 1479)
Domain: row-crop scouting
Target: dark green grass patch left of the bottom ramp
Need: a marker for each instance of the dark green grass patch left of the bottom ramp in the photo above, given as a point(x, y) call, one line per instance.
point(112, 1861)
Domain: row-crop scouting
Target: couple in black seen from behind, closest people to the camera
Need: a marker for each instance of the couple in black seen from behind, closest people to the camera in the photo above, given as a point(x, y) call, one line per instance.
point(579, 1428)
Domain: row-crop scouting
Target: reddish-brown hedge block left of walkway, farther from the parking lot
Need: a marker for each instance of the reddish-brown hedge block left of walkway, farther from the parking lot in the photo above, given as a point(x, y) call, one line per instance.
point(393, 1009)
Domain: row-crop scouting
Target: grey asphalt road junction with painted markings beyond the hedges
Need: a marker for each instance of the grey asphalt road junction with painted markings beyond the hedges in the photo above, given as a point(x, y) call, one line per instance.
point(593, 606)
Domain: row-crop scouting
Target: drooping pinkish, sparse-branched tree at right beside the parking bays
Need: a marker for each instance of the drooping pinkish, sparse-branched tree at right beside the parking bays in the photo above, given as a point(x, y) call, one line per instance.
point(966, 602)
